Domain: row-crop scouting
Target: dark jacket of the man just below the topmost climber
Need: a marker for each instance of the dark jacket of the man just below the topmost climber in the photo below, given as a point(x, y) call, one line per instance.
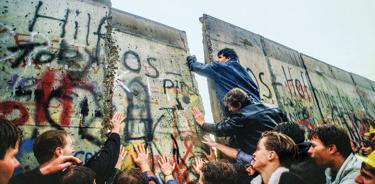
point(247, 125)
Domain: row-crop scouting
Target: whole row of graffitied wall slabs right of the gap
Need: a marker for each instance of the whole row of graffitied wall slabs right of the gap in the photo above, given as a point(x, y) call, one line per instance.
point(311, 92)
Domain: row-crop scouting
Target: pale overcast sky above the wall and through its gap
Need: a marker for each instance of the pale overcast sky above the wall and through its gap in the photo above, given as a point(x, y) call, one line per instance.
point(338, 32)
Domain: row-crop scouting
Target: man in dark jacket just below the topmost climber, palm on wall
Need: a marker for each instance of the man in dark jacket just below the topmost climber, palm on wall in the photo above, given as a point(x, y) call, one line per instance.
point(246, 121)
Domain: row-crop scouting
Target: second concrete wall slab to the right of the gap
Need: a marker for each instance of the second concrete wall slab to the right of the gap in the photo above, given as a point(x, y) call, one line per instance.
point(291, 83)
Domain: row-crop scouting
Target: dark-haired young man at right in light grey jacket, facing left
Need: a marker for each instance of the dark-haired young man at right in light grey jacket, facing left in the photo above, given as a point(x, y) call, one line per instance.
point(331, 149)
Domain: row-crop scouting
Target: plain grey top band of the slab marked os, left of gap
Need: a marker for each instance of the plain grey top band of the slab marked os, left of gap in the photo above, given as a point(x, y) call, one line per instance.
point(133, 24)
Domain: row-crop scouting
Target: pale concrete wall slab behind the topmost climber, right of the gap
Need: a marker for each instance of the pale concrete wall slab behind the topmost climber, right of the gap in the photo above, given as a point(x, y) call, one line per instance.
point(218, 35)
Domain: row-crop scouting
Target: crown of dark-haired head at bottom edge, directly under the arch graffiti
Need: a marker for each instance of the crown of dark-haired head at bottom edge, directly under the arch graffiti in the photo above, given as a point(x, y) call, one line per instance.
point(132, 176)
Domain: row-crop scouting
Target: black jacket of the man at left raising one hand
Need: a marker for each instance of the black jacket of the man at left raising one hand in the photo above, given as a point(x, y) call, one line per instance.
point(102, 163)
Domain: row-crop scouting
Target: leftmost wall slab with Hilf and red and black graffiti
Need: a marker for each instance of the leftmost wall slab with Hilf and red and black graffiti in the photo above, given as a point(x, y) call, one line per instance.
point(52, 68)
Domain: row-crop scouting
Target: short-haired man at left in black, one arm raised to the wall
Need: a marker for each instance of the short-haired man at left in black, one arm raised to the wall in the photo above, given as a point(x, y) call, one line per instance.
point(51, 145)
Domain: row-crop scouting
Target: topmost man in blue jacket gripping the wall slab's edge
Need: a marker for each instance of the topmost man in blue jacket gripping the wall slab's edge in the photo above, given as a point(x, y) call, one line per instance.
point(227, 74)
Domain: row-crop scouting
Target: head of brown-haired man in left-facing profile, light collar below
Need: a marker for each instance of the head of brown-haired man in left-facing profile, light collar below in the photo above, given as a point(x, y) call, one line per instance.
point(273, 150)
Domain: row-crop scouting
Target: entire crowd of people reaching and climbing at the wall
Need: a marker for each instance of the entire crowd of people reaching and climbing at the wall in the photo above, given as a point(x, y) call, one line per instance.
point(263, 146)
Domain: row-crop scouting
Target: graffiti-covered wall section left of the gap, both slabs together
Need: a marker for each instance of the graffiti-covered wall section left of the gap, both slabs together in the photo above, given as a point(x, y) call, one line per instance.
point(67, 65)
